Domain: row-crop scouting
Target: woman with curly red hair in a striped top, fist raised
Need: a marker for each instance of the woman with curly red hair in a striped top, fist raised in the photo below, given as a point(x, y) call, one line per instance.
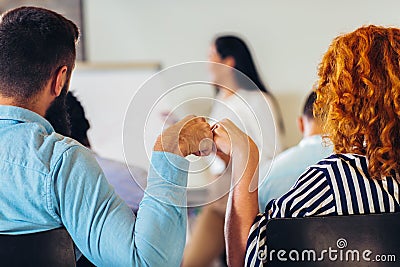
point(358, 100)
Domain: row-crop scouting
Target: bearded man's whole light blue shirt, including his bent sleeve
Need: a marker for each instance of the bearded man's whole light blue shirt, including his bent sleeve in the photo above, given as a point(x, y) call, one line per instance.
point(48, 180)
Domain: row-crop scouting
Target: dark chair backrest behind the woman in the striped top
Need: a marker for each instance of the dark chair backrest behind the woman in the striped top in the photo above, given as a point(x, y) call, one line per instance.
point(356, 240)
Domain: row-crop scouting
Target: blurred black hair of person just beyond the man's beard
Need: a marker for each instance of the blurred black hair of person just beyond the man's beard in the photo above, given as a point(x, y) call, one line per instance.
point(79, 125)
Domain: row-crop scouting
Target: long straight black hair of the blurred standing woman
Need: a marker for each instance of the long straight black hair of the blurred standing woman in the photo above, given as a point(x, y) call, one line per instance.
point(233, 46)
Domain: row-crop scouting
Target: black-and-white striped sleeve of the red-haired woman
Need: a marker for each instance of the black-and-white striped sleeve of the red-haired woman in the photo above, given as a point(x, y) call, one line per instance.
point(310, 196)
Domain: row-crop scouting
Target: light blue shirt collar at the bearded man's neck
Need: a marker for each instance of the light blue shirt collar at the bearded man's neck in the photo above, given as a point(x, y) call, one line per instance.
point(24, 115)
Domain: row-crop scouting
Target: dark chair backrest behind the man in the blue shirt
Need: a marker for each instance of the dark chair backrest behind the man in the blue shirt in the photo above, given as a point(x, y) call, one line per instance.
point(50, 248)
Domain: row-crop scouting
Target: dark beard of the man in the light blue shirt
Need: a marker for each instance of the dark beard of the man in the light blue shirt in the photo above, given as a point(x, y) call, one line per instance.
point(57, 113)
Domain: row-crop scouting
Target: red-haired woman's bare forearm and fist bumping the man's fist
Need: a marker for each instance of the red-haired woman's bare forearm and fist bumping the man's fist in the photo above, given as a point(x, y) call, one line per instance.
point(242, 205)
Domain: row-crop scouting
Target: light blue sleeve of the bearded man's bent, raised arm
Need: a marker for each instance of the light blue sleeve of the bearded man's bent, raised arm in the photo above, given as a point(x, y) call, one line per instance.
point(105, 229)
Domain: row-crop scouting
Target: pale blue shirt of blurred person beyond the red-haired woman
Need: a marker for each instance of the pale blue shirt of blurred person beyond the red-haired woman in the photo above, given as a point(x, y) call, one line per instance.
point(288, 166)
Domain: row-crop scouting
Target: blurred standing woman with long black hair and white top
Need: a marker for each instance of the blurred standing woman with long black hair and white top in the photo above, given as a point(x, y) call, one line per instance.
point(243, 98)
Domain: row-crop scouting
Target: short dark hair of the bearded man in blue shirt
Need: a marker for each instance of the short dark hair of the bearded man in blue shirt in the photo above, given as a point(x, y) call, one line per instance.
point(34, 44)
